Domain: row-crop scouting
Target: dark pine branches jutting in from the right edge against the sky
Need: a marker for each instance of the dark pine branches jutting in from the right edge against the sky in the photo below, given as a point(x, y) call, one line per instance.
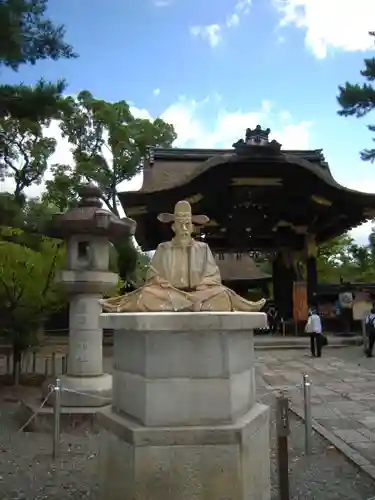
point(359, 99)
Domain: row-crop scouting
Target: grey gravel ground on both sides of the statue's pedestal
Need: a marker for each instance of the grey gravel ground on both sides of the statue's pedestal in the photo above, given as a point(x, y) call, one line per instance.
point(28, 472)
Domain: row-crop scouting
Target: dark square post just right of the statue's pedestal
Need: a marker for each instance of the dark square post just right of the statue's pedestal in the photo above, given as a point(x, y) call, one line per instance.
point(282, 428)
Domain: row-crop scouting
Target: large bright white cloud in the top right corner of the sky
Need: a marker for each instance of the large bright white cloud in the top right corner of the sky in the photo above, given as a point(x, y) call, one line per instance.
point(331, 24)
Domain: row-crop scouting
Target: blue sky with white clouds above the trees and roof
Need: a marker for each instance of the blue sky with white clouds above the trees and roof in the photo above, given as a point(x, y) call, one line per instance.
point(216, 67)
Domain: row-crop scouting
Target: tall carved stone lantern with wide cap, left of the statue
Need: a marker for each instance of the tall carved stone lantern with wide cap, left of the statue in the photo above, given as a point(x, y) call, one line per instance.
point(88, 230)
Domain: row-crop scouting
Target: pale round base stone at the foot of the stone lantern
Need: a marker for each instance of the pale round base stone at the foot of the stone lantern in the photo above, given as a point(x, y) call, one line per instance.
point(84, 391)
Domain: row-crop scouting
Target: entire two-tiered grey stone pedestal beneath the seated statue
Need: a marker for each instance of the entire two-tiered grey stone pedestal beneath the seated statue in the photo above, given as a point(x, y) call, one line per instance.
point(184, 422)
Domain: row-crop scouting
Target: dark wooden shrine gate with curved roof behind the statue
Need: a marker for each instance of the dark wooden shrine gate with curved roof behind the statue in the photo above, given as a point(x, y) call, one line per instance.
point(259, 198)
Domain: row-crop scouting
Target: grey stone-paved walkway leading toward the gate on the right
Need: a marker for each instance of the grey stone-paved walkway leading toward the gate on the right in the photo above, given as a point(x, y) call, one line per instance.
point(343, 395)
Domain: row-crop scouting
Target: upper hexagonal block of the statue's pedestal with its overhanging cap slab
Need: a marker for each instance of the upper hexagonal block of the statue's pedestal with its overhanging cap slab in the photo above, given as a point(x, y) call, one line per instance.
point(177, 369)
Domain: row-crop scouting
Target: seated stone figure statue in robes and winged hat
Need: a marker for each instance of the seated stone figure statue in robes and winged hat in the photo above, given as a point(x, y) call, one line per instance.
point(183, 275)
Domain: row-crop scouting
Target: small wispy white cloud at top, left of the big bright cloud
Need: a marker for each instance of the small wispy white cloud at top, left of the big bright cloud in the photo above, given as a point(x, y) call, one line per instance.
point(213, 33)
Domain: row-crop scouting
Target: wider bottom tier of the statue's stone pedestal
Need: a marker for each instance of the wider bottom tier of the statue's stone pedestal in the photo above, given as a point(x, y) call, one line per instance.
point(230, 462)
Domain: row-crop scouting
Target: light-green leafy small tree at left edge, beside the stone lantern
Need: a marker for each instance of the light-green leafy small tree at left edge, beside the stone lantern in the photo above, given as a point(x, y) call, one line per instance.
point(28, 292)
